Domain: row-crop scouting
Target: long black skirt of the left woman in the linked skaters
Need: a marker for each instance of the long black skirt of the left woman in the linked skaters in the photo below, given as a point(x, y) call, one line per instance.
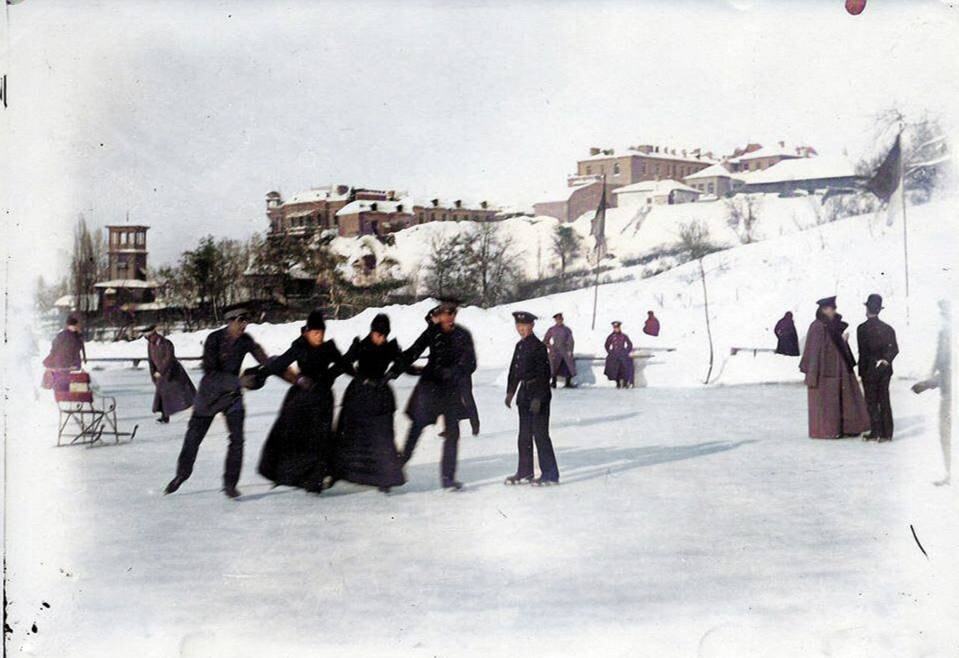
point(298, 450)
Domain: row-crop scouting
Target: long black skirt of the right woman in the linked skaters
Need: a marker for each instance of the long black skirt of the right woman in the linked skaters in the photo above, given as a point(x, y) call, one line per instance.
point(365, 444)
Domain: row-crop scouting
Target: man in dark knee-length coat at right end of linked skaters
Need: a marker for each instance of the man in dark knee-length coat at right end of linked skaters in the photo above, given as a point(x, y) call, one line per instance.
point(442, 385)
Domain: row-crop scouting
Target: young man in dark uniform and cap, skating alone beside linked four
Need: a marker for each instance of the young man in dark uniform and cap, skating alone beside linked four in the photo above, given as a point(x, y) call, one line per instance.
point(529, 375)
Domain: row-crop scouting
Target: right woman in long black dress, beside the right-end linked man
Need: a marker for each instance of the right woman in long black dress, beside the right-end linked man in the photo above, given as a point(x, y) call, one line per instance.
point(365, 447)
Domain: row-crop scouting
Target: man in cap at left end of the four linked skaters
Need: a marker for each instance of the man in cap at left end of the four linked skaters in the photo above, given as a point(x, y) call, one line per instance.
point(220, 392)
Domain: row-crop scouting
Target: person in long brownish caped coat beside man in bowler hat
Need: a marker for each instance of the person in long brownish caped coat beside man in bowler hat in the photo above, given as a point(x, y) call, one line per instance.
point(836, 404)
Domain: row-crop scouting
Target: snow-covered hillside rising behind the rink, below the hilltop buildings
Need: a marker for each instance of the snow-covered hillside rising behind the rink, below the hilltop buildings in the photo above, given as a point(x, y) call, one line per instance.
point(749, 287)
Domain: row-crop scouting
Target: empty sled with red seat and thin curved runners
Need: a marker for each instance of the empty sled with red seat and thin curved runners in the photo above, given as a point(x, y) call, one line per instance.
point(83, 418)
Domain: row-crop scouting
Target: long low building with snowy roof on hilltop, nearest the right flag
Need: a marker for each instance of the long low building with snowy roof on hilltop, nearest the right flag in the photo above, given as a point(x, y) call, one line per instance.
point(808, 174)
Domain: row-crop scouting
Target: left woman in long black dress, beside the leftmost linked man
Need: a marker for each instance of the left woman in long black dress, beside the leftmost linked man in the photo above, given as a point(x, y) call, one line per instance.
point(299, 449)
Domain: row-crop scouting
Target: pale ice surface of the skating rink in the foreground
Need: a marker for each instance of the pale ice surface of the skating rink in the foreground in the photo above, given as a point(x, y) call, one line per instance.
point(688, 522)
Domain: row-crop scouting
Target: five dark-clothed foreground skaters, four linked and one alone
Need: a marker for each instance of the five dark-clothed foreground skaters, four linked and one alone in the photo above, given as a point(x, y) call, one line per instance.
point(308, 448)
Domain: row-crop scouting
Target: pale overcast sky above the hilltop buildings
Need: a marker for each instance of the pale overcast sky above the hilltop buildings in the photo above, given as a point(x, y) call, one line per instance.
point(185, 114)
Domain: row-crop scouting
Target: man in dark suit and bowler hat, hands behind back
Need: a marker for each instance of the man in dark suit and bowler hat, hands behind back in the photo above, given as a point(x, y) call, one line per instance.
point(877, 349)
